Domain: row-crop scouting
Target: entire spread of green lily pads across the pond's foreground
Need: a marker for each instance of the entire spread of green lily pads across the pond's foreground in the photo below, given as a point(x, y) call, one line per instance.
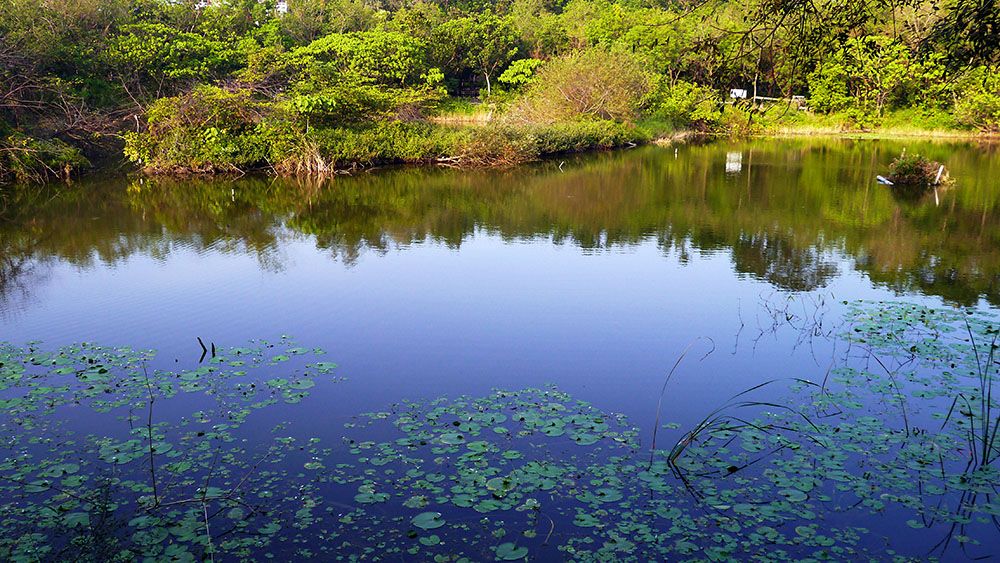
point(888, 457)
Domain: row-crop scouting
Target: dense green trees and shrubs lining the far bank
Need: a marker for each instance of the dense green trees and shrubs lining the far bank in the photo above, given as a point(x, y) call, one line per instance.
point(238, 84)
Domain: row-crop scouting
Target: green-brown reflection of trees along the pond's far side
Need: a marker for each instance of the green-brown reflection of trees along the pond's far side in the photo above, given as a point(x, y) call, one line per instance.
point(783, 211)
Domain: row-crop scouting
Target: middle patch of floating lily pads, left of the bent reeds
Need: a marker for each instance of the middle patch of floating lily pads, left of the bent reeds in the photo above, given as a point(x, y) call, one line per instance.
point(536, 474)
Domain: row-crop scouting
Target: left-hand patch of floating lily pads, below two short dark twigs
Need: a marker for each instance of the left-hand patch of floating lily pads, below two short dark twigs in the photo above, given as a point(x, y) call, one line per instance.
point(167, 477)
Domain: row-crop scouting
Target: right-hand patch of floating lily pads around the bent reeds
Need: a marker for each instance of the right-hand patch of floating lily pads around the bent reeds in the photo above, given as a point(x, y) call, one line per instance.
point(901, 431)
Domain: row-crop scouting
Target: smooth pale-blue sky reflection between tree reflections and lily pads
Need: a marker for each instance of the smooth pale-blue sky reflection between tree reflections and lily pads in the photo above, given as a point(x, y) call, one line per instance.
point(605, 326)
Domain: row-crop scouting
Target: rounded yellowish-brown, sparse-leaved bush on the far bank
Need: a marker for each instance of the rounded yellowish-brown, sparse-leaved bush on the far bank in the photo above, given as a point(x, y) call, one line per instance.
point(593, 84)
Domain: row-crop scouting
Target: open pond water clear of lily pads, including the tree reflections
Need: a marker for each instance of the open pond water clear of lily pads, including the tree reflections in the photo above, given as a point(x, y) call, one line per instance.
point(593, 275)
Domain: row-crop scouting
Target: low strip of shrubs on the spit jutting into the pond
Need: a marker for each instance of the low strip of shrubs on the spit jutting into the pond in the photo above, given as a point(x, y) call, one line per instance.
point(215, 130)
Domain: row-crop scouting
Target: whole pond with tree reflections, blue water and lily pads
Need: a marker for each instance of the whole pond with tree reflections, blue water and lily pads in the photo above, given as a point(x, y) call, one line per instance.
point(711, 352)
